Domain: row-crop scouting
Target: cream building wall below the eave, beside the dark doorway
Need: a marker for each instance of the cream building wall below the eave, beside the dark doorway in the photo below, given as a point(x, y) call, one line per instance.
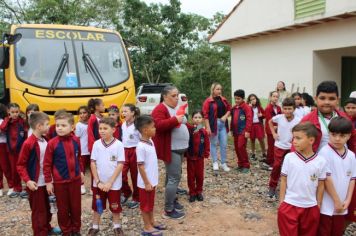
point(258, 64)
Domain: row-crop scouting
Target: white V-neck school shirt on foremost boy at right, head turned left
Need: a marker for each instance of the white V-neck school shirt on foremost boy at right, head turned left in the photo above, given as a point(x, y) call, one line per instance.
point(303, 175)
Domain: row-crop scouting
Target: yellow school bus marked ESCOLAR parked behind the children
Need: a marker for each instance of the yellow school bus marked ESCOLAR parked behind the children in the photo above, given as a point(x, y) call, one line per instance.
point(62, 66)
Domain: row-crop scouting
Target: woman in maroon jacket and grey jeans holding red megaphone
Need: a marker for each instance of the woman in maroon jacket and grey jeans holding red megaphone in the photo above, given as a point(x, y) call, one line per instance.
point(171, 141)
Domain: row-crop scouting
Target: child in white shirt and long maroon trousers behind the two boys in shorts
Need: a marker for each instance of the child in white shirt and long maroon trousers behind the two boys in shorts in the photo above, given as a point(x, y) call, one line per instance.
point(130, 139)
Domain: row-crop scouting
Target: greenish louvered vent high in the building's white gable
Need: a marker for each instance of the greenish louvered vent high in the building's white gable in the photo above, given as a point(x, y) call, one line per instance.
point(305, 8)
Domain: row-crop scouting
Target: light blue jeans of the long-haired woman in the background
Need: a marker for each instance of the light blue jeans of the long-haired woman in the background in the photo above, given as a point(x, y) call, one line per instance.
point(221, 136)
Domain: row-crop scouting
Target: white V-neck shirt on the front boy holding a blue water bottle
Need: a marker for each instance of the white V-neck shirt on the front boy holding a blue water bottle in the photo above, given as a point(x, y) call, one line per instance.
point(107, 157)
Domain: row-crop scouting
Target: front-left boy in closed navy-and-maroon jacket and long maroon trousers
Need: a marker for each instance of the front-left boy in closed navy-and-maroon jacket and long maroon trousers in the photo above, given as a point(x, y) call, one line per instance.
point(63, 175)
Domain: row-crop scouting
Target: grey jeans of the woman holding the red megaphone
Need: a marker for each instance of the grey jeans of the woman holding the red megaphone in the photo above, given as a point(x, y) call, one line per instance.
point(173, 176)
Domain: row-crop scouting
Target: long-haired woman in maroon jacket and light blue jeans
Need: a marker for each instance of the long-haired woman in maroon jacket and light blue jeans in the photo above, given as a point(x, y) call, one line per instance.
point(216, 110)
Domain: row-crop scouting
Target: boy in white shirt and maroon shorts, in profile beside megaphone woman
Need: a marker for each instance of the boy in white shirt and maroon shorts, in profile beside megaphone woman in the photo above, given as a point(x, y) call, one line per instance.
point(148, 174)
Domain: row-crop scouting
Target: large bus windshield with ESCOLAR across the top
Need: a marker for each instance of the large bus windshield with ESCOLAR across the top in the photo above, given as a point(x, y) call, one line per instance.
point(39, 53)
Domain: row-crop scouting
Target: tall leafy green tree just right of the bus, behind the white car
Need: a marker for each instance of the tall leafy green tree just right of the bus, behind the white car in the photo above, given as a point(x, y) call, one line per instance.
point(157, 36)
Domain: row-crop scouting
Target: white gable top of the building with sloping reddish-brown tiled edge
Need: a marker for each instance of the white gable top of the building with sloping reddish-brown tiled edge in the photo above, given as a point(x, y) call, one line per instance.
point(255, 18)
